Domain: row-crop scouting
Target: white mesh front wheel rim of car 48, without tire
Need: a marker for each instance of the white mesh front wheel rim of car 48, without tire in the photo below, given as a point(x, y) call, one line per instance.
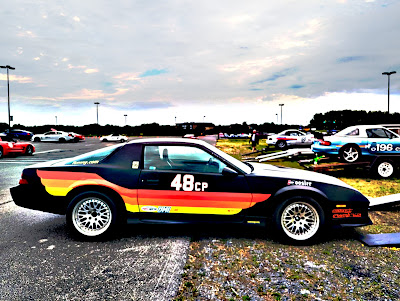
point(300, 221)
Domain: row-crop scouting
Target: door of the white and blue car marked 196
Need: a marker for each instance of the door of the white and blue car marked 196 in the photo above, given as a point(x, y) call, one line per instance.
point(383, 142)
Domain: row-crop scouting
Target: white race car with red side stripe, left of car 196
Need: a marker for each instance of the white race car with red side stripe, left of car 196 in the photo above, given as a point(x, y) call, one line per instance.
point(290, 138)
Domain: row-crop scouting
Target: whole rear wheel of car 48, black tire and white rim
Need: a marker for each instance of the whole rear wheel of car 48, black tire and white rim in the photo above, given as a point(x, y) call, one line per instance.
point(92, 215)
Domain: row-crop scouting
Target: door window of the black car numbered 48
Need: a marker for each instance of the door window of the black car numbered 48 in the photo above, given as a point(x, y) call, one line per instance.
point(181, 158)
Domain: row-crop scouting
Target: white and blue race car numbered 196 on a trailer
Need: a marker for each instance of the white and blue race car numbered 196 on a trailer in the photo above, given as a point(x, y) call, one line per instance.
point(360, 140)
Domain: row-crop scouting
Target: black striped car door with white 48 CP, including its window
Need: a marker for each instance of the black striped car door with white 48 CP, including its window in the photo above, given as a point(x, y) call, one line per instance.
point(185, 182)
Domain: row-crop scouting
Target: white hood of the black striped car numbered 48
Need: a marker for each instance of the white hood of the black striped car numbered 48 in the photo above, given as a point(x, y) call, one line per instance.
point(296, 174)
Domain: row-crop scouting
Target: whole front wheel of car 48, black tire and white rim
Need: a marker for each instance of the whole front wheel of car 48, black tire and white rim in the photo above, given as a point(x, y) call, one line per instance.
point(299, 220)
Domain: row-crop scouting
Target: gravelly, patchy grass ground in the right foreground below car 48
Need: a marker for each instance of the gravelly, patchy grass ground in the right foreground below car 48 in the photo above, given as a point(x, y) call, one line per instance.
point(258, 268)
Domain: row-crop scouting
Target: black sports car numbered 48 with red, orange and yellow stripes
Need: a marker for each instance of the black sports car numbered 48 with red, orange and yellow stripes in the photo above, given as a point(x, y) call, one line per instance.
point(185, 181)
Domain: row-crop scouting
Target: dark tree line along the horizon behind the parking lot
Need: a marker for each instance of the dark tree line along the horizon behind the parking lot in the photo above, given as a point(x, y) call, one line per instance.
point(320, 121)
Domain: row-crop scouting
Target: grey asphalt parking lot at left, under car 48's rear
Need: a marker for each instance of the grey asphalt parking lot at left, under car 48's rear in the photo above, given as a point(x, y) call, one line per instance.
point(41, 261)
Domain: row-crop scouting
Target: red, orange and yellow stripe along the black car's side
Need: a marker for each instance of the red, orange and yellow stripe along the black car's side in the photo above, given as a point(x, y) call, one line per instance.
point(60, 183)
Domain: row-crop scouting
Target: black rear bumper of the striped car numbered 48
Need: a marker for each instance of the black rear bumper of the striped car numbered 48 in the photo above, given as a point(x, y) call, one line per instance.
point(36, 198)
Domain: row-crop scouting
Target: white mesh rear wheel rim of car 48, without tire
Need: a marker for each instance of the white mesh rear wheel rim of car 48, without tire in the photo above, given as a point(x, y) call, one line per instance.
point(91, 216)
